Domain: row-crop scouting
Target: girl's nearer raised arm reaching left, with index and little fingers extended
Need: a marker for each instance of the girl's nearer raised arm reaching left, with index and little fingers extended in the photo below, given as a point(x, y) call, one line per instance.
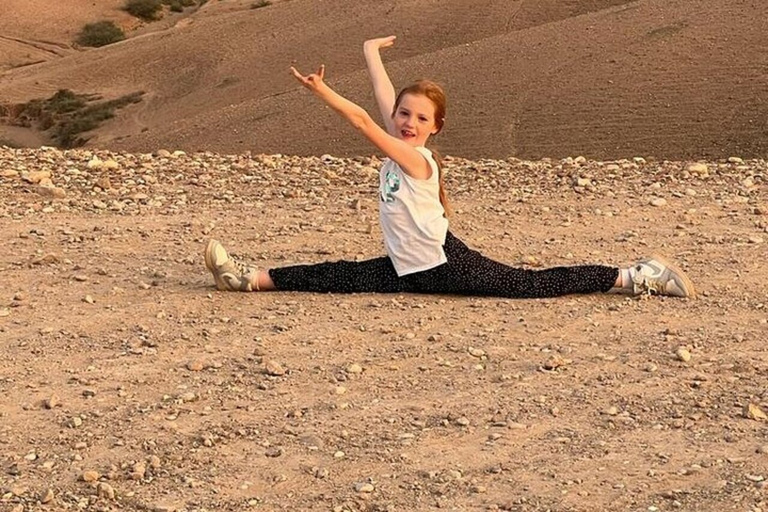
point(411, 161)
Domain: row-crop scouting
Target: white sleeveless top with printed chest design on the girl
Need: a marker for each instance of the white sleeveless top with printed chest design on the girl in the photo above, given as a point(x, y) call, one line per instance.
point(411, 216)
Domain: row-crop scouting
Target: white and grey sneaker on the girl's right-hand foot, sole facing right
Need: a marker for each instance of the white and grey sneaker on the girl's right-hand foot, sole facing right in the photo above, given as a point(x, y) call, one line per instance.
point(656, 276)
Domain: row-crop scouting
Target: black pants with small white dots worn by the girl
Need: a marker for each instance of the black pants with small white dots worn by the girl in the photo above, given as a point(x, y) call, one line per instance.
point(466, 272)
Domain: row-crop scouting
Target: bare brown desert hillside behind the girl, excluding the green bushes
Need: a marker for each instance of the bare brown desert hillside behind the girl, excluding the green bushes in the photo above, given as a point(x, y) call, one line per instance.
point(605, 79)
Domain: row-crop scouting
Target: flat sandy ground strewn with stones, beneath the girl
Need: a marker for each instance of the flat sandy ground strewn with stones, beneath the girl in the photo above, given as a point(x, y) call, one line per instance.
point(129, 383)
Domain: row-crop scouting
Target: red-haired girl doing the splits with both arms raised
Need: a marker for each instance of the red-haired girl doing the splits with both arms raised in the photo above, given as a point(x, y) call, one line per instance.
point(423, 256)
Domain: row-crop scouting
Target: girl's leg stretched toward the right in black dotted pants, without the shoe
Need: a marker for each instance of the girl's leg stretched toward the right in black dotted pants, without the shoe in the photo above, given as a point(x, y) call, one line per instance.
point(468, 272)
